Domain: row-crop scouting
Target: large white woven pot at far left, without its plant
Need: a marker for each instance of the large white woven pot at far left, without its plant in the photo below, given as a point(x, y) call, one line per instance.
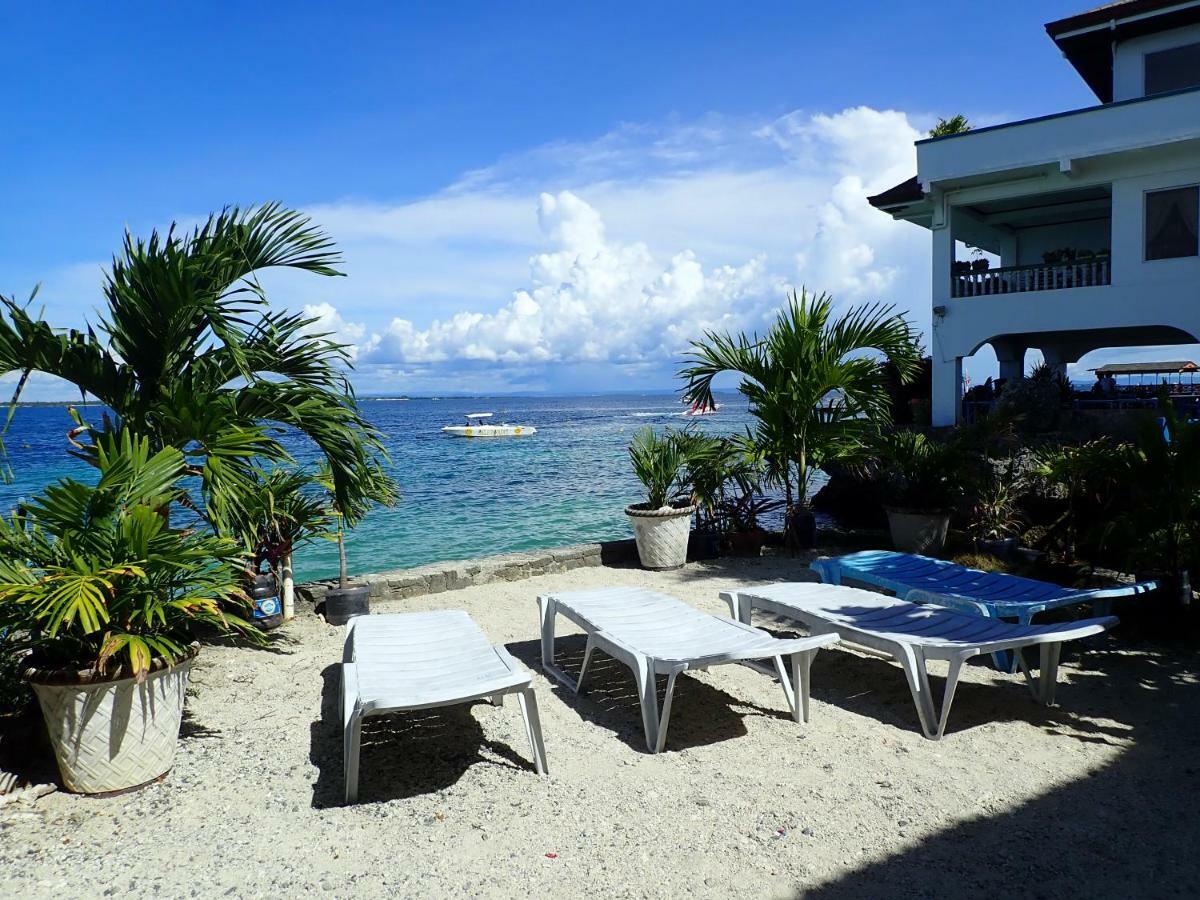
point(112, 736)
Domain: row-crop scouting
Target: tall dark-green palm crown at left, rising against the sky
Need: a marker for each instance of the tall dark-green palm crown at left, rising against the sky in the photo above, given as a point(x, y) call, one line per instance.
point(188, 355)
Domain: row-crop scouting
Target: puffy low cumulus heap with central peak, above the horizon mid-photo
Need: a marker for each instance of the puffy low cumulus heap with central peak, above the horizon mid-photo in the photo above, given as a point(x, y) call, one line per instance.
point(590, 299)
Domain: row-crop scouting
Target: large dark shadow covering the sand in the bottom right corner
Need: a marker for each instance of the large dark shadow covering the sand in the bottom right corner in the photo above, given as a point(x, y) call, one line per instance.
point(1127, 830)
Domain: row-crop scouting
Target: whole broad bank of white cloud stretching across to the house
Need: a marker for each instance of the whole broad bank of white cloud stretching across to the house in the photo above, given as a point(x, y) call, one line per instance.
point(647, 239)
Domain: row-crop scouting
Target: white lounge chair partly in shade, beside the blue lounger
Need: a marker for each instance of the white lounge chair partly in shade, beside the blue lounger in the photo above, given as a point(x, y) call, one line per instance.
point(914, 634)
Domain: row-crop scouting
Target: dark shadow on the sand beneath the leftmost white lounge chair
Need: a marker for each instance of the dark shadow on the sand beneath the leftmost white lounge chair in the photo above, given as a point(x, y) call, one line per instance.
point(403, 754)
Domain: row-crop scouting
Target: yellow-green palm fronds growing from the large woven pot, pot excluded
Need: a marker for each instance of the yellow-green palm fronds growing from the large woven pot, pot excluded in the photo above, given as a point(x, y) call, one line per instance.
point(95, 577)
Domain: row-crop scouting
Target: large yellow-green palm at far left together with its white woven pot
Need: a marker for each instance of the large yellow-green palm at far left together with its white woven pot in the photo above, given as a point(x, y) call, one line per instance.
point(105, 597)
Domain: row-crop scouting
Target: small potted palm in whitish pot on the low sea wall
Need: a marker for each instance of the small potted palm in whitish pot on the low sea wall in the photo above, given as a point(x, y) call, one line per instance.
point(663, 523)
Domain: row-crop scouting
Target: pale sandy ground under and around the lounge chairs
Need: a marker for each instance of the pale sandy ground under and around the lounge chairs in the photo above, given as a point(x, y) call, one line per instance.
point(1095, 799)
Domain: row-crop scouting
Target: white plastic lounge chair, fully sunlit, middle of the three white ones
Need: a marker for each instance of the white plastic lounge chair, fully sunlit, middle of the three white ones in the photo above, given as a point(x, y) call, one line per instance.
point(655, 634)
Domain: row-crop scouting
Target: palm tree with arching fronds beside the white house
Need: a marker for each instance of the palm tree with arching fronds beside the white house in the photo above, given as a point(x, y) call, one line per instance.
point(818, 394)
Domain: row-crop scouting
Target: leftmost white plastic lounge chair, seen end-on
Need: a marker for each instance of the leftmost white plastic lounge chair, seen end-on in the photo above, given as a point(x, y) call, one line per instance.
point(419, 661)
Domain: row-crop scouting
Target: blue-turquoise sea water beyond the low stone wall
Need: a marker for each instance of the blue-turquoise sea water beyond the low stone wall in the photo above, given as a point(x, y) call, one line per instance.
point(463, 499)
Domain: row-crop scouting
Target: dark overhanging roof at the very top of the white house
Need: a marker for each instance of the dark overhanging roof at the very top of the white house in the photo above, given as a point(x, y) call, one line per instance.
point(1087, 39)
